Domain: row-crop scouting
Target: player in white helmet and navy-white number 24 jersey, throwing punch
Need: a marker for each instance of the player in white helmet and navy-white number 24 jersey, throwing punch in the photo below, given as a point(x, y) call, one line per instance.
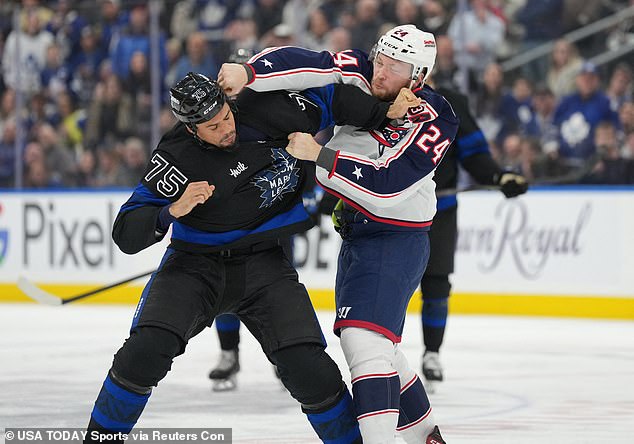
point(384, 179)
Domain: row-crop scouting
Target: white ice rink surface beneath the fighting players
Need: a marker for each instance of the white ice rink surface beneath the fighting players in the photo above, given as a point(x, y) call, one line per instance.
point(515, 380)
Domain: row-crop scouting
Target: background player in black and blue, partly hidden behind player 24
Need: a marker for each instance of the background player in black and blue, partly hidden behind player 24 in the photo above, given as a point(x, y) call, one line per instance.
point(471, 151)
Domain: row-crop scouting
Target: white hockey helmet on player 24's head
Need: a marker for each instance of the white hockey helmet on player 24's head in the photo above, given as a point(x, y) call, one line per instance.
point(408, 44)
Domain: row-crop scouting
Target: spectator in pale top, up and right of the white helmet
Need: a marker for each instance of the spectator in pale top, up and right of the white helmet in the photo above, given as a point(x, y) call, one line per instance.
point(476, 35)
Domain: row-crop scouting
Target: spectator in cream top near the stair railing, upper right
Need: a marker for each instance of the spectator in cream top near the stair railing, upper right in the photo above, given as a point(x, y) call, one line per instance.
point(565, 64)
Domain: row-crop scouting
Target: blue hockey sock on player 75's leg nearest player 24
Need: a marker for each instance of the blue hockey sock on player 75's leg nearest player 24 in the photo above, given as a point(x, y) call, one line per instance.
point(337, 424)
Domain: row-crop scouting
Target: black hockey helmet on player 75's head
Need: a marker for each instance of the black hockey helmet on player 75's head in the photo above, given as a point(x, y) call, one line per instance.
point(196, 98)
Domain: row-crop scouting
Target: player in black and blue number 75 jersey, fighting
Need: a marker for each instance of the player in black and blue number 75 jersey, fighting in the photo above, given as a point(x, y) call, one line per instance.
point(222, 179)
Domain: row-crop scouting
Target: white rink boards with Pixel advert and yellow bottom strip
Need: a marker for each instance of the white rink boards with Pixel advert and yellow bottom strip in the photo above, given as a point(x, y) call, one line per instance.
point(553, 252)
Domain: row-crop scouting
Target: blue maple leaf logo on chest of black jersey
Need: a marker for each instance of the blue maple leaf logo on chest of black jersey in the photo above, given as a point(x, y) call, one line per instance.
point(280, 179)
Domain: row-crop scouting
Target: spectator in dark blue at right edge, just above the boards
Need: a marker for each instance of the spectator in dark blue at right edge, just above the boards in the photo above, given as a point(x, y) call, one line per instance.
point(611, 169)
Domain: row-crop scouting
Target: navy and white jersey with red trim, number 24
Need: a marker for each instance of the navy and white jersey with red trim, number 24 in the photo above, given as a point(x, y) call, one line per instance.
point(388, 173)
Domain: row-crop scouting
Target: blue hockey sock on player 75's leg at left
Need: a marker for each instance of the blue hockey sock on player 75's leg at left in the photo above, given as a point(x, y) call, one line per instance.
point(117, 409)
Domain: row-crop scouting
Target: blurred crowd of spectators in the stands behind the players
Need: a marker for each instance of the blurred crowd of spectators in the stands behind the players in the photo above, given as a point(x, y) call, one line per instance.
point(81, 71)
